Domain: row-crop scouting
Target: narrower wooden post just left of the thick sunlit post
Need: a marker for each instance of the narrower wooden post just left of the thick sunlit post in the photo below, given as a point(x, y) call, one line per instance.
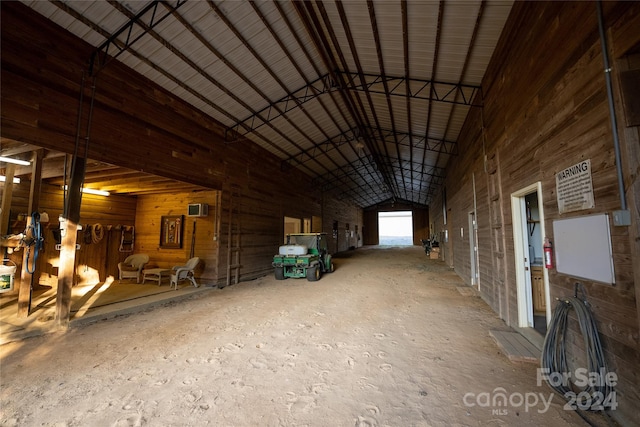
point(27, 279)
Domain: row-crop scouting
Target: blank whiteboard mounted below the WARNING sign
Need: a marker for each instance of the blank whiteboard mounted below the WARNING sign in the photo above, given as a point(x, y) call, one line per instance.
point(582, 247)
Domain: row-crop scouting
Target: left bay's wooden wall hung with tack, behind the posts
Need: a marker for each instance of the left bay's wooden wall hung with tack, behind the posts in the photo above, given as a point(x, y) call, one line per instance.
point(96, 260)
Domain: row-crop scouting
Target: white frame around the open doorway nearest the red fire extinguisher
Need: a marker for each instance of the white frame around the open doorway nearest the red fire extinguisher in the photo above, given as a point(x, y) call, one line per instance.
point(523, 286)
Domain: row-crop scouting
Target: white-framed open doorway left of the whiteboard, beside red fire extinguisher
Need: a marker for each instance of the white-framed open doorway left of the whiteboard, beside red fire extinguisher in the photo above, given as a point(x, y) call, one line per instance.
point(534, 310)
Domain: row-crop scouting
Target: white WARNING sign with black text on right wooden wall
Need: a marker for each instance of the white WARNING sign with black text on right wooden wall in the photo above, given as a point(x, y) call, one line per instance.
point(574, 188)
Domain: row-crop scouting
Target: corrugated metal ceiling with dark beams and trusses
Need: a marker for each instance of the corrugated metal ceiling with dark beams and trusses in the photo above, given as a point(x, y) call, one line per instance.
point(366, 97)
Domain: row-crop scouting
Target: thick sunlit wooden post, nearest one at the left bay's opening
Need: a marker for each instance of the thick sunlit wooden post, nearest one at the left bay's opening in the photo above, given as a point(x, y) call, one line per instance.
point(68, 244)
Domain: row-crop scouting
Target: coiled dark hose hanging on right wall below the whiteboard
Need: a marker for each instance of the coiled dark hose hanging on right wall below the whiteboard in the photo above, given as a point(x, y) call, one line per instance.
point(596, 394)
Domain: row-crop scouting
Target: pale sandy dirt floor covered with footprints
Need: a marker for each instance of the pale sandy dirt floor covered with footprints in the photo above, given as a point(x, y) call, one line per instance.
point(386, 340)
